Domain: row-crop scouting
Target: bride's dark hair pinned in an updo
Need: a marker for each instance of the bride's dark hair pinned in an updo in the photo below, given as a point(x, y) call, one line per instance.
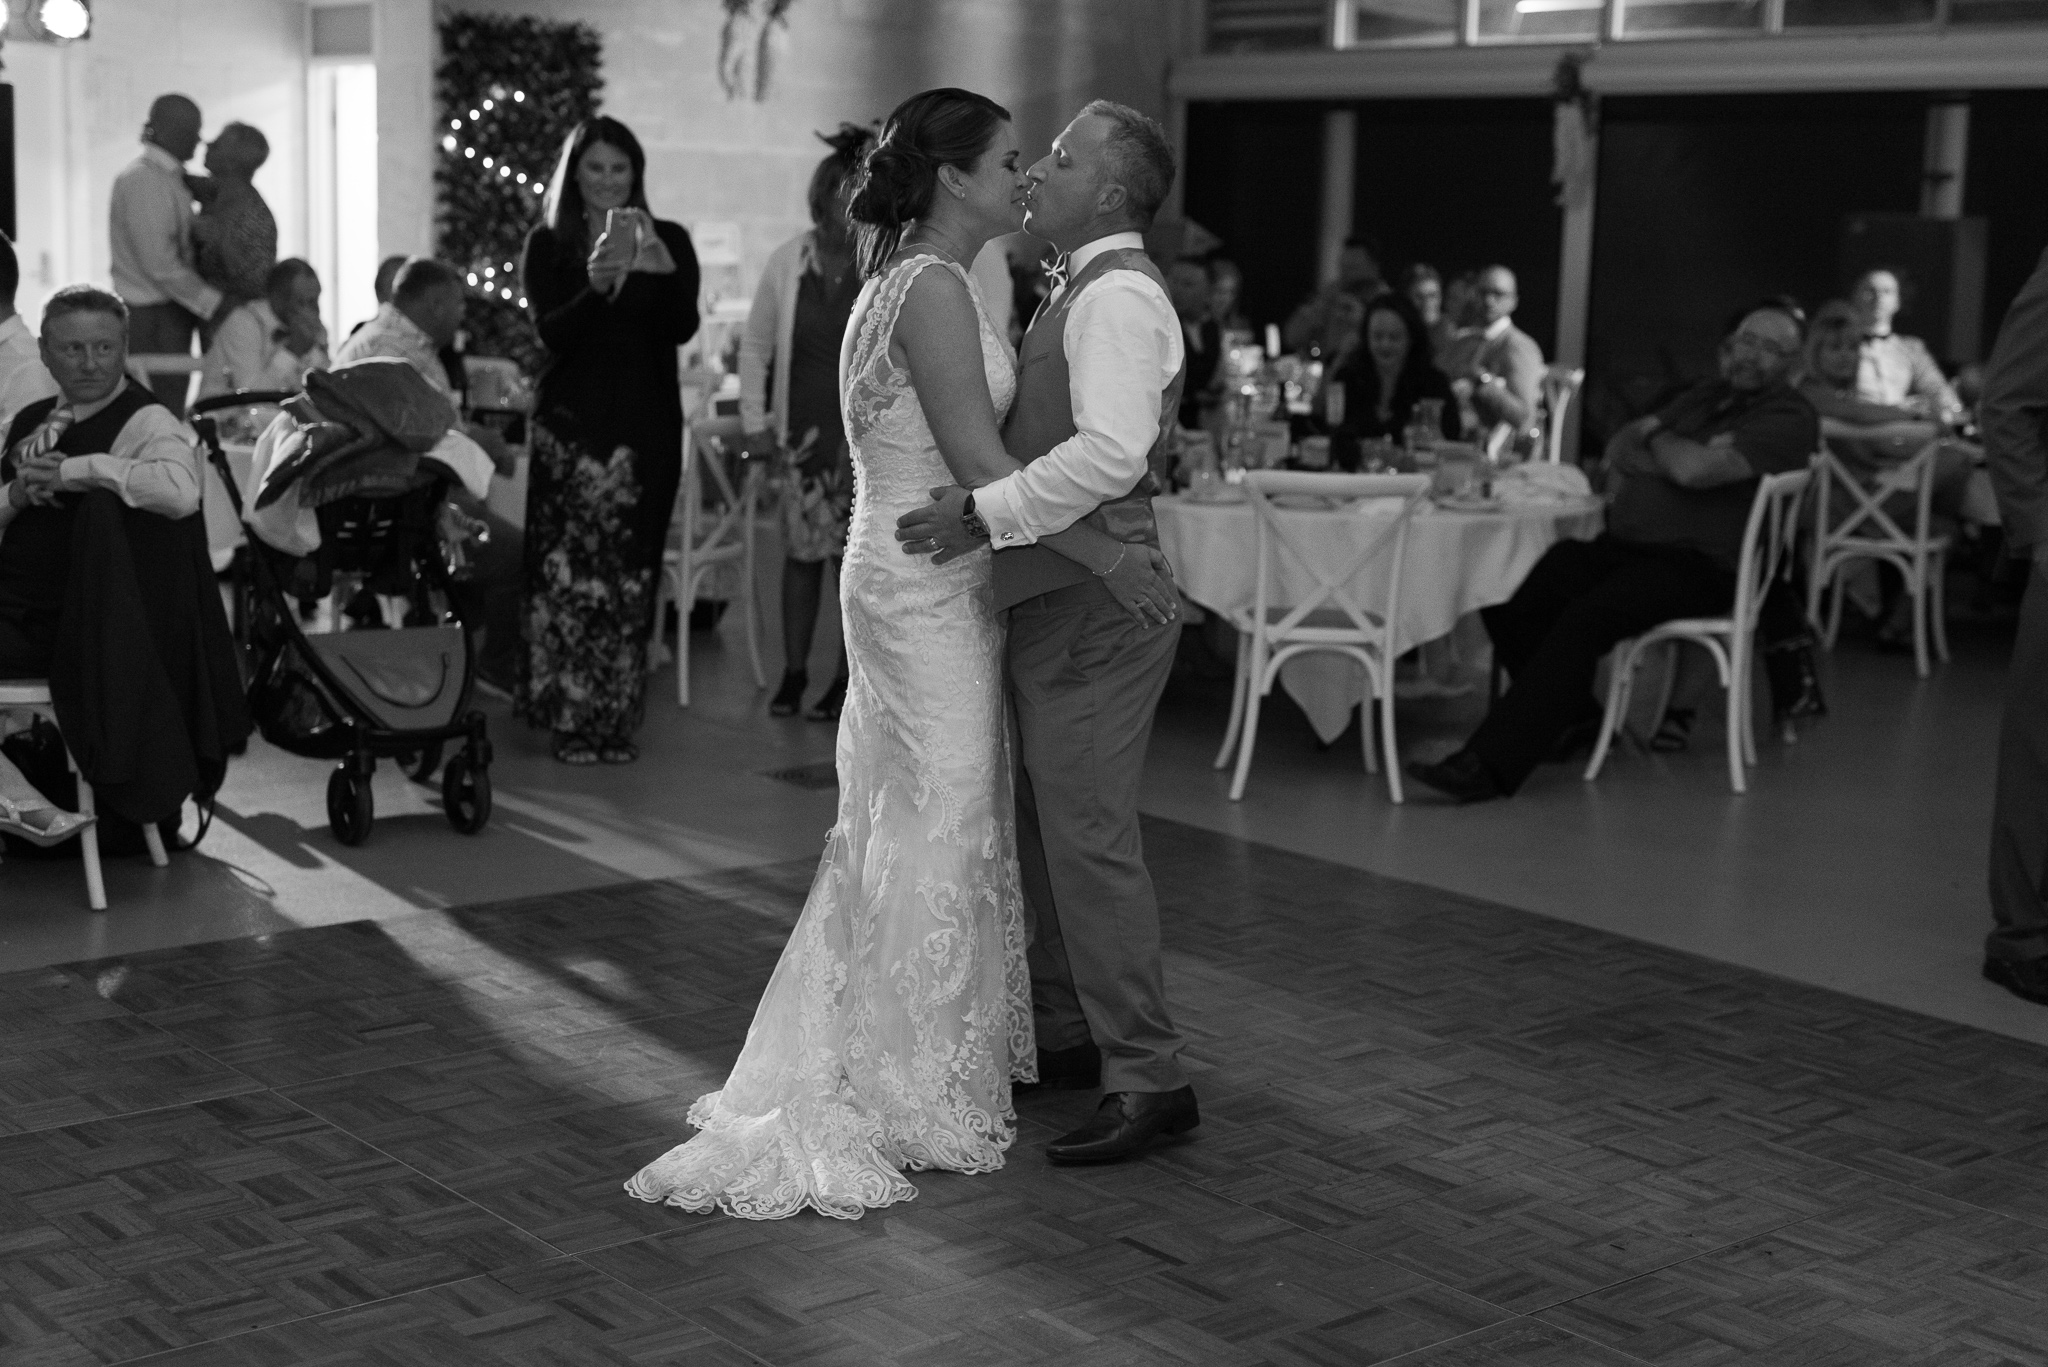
point(900, 177)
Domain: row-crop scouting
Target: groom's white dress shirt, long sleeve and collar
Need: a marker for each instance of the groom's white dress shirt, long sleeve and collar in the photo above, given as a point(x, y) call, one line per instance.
point(1123, 349)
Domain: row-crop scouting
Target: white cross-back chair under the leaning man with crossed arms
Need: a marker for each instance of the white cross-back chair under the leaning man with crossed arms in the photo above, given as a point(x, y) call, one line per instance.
point(1730, 640)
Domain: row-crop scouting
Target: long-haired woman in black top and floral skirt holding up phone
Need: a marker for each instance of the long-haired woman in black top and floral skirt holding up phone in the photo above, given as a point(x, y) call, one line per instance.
point(613, 294)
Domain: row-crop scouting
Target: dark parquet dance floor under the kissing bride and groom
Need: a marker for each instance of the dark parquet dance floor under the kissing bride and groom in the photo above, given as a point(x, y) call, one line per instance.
point(1437, 1132)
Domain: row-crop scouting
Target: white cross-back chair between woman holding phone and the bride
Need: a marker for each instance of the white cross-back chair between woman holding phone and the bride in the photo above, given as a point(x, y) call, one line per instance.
point(714, 528)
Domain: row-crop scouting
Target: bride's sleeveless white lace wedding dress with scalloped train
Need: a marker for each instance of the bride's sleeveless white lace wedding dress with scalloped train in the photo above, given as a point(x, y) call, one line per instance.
point(900, 1011)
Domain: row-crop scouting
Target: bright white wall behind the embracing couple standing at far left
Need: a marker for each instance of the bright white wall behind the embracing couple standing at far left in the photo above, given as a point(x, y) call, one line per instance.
point(81, 112)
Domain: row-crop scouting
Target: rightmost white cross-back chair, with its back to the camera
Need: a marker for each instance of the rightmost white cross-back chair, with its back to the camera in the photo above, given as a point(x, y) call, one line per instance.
point(1867, 532)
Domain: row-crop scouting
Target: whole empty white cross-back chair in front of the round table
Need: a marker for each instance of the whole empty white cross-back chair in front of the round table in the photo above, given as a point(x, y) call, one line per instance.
point(1328, 618)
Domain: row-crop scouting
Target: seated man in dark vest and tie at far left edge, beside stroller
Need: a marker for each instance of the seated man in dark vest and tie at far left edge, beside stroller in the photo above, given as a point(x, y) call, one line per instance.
point(101, 431)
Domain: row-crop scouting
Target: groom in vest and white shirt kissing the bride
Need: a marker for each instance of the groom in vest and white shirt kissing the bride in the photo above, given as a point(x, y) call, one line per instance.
point(1099, 388)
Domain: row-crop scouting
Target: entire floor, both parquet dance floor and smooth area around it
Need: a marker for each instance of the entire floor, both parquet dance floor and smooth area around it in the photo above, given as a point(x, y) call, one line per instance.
point(1615, 1073)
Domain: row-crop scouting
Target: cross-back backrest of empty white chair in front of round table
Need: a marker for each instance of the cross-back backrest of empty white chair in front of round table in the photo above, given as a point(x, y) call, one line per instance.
point(1383, 534)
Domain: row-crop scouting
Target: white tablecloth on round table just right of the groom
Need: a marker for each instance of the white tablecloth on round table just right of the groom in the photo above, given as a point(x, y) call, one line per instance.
point(1457, 563)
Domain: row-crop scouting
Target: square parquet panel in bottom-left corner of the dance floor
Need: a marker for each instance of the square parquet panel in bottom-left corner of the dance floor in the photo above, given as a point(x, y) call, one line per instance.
point(187, 1225)
